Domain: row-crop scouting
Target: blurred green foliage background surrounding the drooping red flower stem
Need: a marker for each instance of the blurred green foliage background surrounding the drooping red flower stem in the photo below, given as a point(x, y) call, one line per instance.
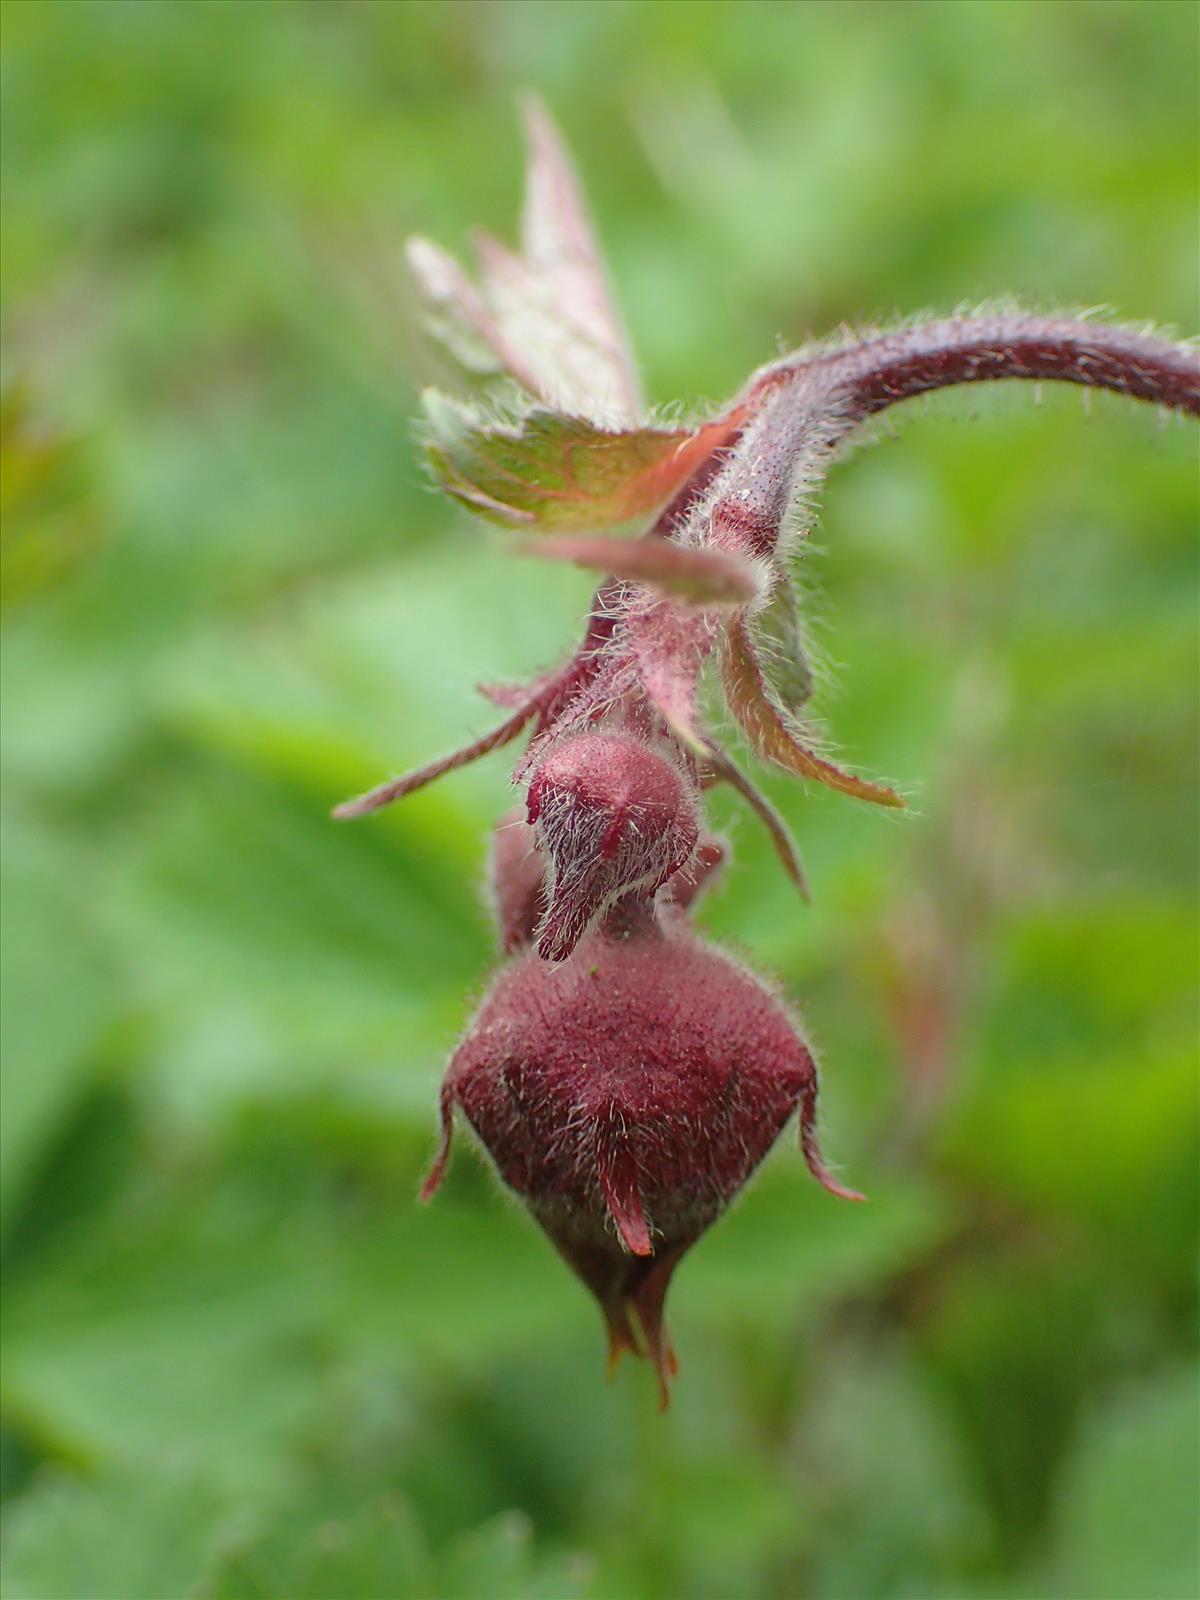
point(239, 1361)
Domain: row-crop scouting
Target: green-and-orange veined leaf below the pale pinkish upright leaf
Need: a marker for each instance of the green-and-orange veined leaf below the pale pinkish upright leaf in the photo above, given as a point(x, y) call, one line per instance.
point(551, 473)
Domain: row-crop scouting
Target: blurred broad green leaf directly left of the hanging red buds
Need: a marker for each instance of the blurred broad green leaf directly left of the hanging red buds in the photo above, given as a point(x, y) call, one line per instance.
point(270, 942)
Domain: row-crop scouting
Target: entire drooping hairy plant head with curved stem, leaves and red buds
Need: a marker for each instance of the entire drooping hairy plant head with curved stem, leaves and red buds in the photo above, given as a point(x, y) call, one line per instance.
point(625, 1078)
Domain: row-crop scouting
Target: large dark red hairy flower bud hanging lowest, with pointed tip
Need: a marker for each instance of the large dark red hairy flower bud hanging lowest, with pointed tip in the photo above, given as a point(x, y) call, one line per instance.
point(626, 1097)
